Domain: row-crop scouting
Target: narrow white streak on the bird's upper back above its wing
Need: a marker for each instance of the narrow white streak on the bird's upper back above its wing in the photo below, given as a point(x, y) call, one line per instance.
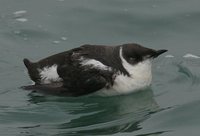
point(94, 63)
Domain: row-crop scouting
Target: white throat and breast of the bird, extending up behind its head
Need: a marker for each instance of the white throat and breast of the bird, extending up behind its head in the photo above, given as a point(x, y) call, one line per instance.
point(140, 77)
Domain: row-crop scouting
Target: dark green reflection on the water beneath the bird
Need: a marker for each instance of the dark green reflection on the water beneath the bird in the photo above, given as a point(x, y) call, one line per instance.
point(101, 115)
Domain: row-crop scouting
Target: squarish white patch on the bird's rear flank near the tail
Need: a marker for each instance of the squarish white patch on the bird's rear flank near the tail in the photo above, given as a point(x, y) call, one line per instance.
point(49, 75)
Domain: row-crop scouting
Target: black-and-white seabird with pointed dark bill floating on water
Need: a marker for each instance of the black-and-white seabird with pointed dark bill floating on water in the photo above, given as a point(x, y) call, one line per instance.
point(106, 70)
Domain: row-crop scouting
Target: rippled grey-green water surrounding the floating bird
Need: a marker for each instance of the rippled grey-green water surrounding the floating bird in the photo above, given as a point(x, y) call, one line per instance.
point(38, 28)
